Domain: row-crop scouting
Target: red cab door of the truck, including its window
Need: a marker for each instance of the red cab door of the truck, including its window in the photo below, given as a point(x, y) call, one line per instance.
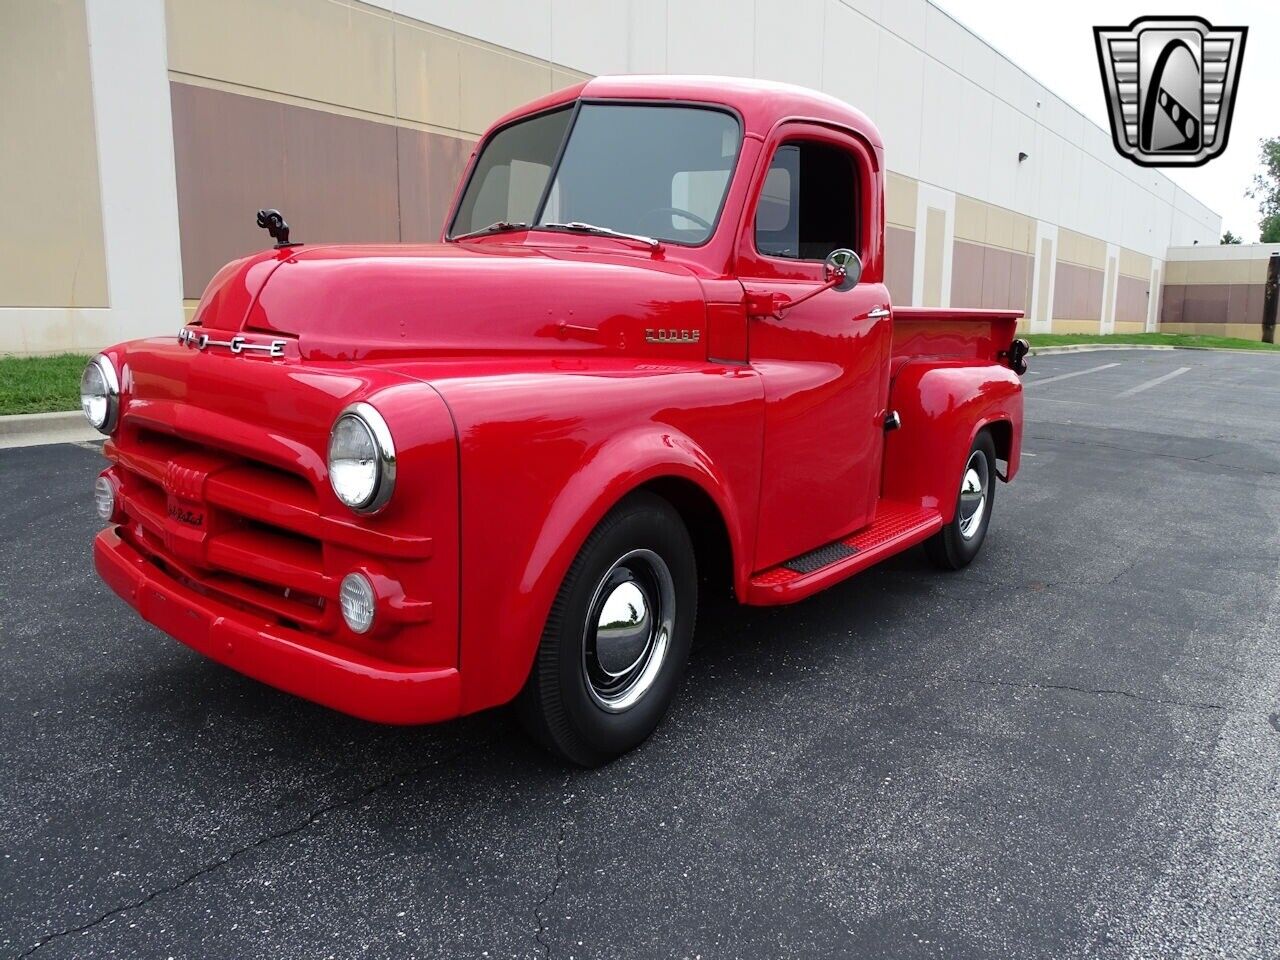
point(824, 364)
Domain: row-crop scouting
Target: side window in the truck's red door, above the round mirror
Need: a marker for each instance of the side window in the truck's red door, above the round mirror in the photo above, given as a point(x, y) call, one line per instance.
point(810, 203)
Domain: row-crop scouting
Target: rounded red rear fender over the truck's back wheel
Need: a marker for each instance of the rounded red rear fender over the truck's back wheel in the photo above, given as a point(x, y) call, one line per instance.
point(944, 405)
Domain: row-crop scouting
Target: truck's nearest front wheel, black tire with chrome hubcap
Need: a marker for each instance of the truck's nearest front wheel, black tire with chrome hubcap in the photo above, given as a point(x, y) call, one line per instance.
point(573, 703)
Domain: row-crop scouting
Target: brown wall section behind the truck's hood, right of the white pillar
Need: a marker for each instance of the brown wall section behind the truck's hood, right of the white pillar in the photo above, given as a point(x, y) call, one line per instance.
point(336, 179)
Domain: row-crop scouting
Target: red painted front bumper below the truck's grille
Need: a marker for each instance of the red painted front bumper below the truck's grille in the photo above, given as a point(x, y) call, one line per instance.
point(300, 664)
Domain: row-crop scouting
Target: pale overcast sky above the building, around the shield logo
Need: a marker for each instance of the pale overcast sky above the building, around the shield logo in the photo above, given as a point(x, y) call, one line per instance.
point(1054, 43)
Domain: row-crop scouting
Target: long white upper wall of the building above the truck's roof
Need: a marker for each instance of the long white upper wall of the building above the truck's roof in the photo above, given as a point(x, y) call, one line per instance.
point(954, 112)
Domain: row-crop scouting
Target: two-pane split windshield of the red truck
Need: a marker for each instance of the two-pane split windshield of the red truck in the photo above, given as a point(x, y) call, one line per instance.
point(634, 168)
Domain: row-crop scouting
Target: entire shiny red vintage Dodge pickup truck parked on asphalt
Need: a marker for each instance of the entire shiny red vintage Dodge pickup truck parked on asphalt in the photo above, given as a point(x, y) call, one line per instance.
point(652, 355)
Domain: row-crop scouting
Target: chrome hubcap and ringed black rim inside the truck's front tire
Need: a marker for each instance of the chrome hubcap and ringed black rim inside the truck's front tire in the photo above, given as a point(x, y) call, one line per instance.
point(629, 629)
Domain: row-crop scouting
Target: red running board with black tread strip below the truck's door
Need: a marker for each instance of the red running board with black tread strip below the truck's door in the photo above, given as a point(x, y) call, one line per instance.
point(897, 528)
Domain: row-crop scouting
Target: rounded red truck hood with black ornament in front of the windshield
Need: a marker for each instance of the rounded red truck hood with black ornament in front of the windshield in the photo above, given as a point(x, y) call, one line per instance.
point(364, 303)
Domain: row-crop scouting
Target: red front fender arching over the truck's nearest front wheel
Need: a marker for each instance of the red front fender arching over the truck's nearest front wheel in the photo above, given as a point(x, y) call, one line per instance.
point(546, 455)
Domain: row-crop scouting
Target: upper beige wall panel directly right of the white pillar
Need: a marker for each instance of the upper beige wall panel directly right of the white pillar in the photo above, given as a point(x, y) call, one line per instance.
point(321, 51)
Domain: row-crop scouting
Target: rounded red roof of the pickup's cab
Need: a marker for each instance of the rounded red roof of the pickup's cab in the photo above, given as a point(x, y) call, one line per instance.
point(761, 103)
